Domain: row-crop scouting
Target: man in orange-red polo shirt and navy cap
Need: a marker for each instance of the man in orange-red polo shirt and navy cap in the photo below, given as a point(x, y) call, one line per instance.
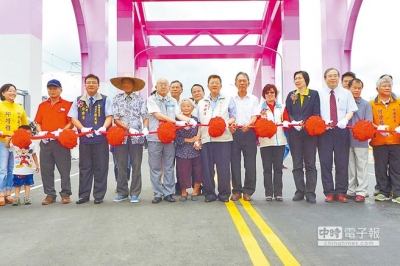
point(52, 117)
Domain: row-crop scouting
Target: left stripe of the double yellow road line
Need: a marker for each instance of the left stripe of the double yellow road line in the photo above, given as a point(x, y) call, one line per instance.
point(254, 250)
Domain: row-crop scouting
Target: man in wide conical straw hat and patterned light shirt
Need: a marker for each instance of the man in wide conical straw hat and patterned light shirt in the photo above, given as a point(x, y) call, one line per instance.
point(129, 110)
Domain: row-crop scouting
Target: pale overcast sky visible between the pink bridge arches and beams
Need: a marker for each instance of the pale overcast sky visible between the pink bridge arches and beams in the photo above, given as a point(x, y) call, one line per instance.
point(375, 44)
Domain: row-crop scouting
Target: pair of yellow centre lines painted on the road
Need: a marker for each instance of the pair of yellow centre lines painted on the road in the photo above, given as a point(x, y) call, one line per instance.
point(249, 241)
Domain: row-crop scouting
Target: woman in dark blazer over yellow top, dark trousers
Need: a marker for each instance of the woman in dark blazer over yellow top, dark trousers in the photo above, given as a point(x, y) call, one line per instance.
point(300, 105)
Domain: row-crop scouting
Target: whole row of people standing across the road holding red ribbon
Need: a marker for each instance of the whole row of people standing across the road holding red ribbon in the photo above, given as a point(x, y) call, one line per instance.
point(195, 154)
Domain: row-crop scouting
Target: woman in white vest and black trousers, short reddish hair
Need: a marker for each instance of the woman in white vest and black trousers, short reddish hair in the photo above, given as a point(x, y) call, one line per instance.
point(272, 149)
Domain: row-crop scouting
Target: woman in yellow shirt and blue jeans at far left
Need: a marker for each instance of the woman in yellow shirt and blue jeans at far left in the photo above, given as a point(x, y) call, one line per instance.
point(12, 115)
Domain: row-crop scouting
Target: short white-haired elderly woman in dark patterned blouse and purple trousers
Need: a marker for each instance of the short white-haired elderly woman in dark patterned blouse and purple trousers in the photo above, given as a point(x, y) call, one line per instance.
point(187, 153)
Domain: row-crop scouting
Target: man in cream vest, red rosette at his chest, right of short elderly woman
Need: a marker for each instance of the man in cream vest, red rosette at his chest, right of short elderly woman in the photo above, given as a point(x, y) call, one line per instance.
point(216, 150)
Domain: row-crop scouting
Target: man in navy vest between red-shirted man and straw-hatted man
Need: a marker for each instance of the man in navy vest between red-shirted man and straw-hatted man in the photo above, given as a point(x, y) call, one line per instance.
point(92, 112)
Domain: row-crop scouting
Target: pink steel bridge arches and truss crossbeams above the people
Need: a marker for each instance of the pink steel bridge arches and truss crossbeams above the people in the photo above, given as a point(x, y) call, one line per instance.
point(279, 23)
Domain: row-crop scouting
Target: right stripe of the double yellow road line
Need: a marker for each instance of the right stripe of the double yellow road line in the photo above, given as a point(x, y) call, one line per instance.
point(280, 249)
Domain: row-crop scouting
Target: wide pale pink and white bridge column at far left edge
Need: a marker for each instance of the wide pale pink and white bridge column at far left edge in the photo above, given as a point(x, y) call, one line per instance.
point(21, 48)
